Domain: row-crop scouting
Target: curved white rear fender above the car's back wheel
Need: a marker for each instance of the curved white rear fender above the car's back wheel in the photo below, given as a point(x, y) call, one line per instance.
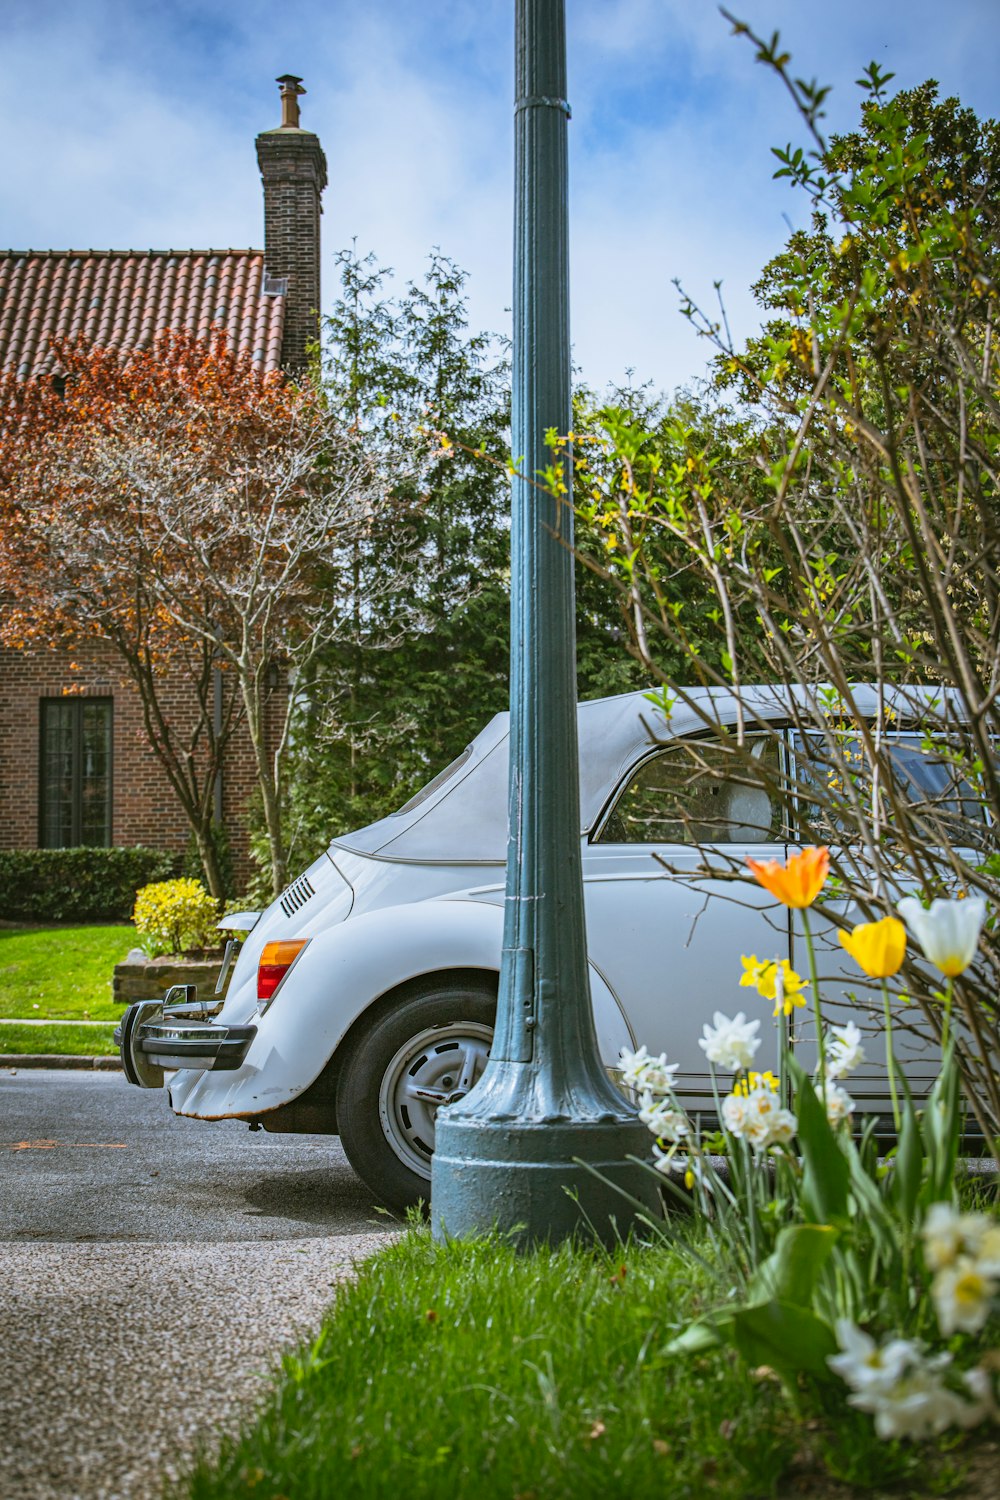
point(337, 979)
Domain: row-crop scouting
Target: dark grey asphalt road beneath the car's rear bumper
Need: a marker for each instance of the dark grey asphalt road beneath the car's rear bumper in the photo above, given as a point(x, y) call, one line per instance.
point(88, 1157)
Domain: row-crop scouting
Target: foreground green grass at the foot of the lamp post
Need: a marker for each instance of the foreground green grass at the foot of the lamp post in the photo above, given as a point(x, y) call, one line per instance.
point(472, 1372)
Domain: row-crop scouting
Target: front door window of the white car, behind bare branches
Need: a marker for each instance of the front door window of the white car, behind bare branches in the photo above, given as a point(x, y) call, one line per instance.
point(932, 785)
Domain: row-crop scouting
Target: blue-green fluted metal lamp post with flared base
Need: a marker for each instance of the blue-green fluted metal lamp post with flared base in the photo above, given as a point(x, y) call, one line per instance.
point(513, 1153)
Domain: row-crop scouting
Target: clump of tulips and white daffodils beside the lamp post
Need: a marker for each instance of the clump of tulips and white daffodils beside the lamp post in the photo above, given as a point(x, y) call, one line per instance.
point(837, 1265)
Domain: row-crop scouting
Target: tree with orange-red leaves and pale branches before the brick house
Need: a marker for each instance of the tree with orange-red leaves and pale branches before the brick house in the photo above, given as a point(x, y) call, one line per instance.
point(199, 518)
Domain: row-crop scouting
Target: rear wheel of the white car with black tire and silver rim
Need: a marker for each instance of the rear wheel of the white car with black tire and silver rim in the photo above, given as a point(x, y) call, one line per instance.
point(433, 1040)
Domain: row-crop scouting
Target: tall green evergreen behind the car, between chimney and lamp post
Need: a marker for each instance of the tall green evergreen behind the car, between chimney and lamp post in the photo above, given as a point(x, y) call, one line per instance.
point(427, 665)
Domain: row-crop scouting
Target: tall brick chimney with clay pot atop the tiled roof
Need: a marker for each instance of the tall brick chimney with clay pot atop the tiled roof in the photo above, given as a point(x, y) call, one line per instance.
point(295, 172)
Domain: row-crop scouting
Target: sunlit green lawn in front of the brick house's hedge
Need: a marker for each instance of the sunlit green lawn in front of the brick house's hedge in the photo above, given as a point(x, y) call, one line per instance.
point(61, 973)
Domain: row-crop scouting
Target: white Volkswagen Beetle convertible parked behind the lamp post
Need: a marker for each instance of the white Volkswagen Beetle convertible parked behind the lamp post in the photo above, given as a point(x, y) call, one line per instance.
point(365, 997)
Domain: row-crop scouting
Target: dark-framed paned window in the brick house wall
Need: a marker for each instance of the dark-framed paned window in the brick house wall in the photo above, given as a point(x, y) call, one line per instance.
point(76, 773)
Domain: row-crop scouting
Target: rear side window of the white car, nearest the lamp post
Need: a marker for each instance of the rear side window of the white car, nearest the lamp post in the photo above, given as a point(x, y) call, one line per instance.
point(699, 793)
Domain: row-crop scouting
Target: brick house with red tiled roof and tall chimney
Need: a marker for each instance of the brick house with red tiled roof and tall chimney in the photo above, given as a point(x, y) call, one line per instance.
point(76, 767)
